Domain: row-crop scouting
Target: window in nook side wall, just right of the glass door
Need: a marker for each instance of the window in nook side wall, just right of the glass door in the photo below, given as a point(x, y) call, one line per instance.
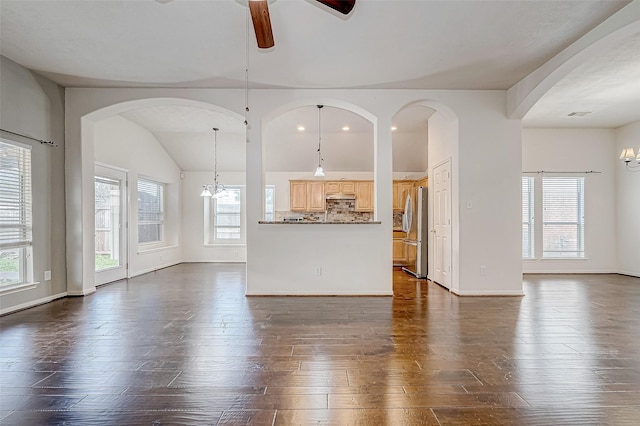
point(150, 211)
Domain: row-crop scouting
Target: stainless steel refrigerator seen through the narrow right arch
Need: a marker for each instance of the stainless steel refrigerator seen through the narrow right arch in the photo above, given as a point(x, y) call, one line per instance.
point(414, 222)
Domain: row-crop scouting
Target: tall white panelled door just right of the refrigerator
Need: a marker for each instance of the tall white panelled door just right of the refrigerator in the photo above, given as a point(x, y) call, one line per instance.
point(442, 223)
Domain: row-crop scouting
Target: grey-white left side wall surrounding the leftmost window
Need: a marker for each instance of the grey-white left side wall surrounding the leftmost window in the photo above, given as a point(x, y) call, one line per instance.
point(34, 106)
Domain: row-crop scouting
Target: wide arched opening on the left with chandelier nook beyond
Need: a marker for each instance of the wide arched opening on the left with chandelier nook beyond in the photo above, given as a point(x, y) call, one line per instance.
point(144, 164)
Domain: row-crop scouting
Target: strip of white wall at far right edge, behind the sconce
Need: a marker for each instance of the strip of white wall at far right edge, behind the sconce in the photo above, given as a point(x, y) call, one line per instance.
point(627, 202)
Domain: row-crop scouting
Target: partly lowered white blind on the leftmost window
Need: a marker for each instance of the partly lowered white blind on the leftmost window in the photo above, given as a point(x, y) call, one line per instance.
point(15, 196)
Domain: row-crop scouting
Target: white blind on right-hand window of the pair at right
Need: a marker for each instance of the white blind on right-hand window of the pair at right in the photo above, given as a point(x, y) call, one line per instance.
point(563, 217)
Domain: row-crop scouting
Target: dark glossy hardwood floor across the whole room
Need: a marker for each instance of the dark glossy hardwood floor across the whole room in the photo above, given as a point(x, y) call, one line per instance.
point(185, 346)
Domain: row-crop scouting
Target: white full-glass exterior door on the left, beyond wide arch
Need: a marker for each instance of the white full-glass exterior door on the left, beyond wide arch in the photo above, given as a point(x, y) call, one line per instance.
point(111, 258)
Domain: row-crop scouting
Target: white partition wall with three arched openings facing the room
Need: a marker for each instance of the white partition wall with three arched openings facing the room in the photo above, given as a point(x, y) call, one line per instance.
point(363, 264)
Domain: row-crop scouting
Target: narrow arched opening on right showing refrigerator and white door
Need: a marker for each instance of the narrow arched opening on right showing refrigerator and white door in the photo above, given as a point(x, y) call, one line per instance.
point(425, 144)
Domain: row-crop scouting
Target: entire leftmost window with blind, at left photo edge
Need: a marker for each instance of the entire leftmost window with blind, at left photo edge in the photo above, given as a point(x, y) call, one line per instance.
point(15, 214)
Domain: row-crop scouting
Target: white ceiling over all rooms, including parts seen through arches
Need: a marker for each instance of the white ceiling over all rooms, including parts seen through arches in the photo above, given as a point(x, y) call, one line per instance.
point(421, 44)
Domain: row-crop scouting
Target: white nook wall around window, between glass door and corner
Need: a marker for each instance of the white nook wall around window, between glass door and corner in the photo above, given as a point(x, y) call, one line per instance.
point(121, 143)
